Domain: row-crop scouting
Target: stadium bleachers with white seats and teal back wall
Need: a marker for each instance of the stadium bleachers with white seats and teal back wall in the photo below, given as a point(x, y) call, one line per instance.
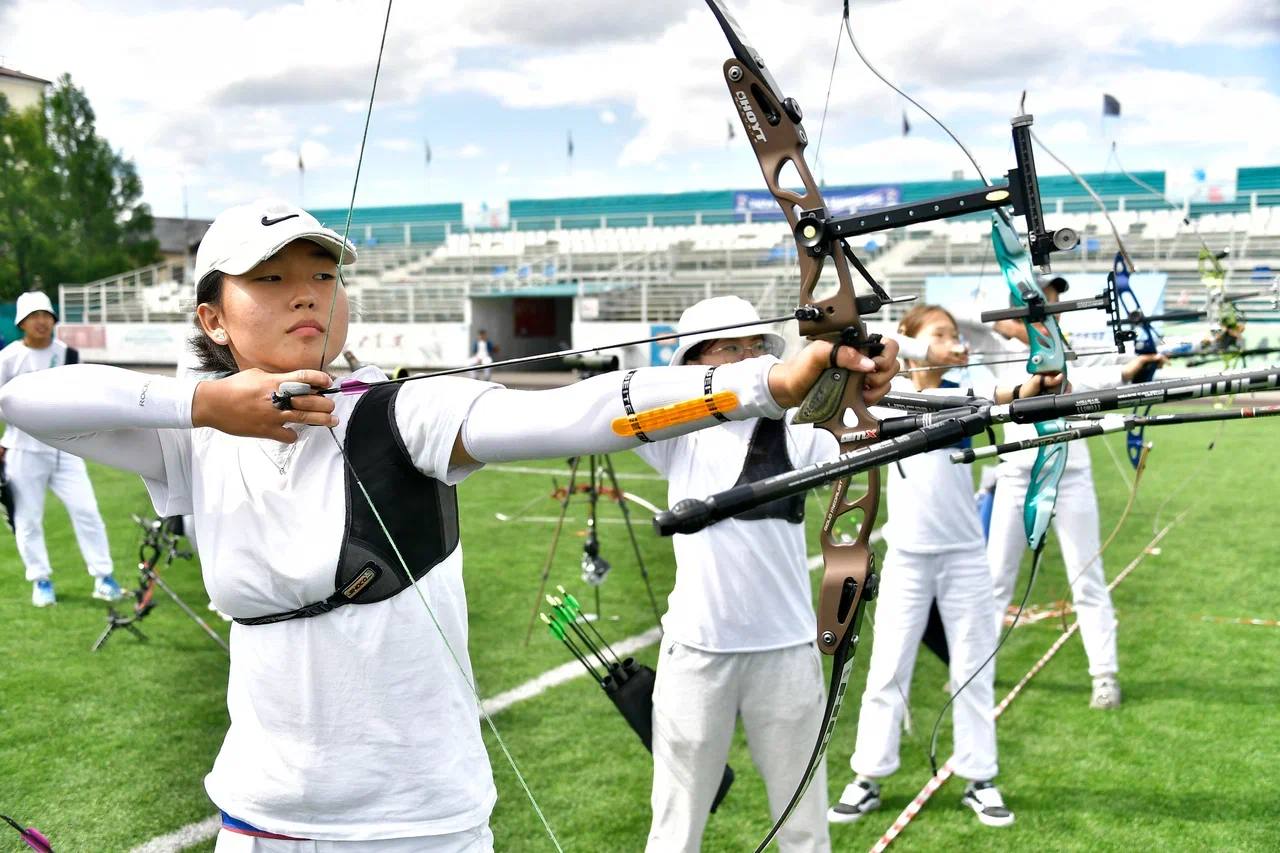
point(646, 258)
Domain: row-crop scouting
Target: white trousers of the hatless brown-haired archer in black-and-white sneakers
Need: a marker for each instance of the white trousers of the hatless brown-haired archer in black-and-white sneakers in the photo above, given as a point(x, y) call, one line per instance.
point(961, 581)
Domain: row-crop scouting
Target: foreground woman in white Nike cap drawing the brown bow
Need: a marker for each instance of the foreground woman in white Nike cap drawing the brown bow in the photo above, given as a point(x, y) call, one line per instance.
point(354, 714)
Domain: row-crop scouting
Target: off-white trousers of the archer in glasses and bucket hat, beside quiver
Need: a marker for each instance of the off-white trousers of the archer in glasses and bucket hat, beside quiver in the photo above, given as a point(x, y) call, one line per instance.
point(698, 696)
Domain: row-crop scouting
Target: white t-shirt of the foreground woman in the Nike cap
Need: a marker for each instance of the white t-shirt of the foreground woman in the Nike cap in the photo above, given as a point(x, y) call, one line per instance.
point(356, 724)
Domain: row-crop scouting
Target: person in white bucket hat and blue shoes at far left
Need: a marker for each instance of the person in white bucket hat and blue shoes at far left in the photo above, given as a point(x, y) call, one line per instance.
point(35, 468)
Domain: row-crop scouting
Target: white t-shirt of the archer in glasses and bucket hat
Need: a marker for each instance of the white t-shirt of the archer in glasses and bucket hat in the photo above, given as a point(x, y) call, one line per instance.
point(740, 586)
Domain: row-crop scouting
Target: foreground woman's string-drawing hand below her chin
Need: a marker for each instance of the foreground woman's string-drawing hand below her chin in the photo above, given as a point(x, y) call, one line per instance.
point(241, 404)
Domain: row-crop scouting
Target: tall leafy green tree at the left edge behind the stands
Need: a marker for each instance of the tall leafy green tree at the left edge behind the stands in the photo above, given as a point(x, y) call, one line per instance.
point(71, 207)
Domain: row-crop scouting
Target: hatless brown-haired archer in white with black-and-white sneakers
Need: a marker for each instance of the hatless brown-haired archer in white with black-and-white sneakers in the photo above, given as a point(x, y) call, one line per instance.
point(936, 553)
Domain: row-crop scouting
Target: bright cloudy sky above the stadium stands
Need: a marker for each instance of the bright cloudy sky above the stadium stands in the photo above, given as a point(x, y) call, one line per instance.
point(217, 101)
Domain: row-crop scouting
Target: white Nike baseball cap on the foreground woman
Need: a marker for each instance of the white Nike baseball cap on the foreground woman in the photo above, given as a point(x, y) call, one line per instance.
point(243, 238)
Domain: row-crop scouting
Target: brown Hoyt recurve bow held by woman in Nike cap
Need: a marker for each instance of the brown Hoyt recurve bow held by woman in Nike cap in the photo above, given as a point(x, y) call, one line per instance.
point(772, 125)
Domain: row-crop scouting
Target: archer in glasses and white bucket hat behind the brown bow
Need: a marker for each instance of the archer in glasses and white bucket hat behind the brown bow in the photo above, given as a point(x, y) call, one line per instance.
point(724, 655)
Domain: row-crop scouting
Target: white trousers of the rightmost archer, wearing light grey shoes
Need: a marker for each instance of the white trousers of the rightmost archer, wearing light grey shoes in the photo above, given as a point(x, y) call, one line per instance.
point(1076, 521)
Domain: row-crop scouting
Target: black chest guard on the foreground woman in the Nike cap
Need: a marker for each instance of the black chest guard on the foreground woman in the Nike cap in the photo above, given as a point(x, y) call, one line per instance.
point(420, 513)
